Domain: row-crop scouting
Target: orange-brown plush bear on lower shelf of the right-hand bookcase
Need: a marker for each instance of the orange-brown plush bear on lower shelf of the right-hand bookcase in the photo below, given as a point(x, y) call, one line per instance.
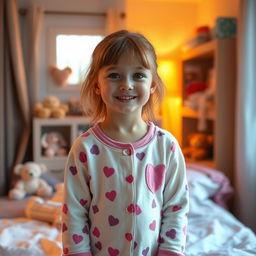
point(200, 146)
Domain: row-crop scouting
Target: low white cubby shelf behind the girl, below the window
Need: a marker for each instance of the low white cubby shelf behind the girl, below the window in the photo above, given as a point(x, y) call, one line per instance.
point(69, 127)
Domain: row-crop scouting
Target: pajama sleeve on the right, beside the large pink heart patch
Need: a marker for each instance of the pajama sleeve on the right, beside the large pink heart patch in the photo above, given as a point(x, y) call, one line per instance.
point(175, 207)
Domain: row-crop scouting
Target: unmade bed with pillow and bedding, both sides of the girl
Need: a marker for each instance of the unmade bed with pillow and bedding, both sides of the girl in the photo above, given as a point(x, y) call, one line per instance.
point(212, 229)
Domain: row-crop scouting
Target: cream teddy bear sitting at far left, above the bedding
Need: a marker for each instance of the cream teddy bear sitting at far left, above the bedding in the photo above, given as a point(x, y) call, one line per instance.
point(30, 182)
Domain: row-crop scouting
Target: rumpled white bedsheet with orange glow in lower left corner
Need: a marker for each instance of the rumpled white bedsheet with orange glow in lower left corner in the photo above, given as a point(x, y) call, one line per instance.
point(24, 237)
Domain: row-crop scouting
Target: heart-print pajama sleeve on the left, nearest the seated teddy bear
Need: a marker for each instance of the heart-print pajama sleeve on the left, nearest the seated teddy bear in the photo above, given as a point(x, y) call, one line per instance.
point(76, 203)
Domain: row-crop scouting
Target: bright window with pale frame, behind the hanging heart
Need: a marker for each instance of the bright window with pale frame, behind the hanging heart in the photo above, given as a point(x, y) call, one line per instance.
point(68, 47)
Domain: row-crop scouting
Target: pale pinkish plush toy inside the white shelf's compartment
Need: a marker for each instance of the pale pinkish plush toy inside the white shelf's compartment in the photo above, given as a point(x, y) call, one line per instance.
point(53, 144)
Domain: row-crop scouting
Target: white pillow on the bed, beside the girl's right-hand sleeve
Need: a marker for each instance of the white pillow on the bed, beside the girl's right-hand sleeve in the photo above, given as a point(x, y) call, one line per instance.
point(200, 185)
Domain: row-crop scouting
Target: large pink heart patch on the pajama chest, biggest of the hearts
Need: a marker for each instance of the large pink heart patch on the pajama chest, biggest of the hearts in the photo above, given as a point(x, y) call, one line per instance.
point(155, 176)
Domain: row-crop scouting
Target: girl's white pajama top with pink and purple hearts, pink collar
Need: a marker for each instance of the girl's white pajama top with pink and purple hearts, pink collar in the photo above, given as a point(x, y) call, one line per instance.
point(125, 199)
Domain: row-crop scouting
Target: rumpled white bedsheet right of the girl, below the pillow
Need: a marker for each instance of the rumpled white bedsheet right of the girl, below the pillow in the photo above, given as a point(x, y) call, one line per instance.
point(212, 231)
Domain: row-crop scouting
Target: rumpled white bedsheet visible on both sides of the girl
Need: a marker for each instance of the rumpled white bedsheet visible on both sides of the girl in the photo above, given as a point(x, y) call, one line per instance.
point(212, 231)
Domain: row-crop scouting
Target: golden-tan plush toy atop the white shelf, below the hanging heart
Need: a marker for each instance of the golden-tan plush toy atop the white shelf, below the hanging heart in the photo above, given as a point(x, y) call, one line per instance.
point(50, 107)
